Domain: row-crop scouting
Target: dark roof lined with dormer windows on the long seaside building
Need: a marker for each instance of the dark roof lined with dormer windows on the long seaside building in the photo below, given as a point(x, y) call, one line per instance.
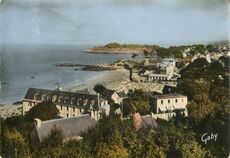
point(78, 99)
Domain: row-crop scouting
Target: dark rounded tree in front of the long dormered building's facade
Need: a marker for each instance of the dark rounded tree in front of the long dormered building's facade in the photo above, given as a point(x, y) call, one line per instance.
point(46, 110)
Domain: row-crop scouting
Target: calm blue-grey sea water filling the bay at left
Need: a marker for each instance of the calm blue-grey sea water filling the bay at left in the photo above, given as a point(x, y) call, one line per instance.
point(25, 66)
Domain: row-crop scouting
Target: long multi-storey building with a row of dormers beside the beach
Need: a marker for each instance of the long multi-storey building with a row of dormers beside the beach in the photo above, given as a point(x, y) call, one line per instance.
point(69, 104)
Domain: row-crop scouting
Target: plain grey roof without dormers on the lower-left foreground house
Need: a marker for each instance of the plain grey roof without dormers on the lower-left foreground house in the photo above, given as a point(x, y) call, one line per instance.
point(70, 127)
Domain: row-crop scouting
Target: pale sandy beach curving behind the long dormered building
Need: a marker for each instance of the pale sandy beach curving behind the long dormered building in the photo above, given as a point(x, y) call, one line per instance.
point(117, 80)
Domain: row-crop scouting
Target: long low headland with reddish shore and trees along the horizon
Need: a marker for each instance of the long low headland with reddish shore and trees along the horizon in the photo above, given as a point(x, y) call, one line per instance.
point(176, 51)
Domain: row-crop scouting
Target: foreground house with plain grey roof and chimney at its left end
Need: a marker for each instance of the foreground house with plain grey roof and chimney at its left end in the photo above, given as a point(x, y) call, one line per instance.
point(71, 128)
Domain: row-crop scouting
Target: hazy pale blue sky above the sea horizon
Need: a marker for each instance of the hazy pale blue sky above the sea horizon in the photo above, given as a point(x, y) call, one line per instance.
point(162, 22)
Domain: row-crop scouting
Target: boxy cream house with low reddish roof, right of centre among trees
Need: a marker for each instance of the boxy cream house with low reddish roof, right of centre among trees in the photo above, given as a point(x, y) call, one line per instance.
point(164, 106)
